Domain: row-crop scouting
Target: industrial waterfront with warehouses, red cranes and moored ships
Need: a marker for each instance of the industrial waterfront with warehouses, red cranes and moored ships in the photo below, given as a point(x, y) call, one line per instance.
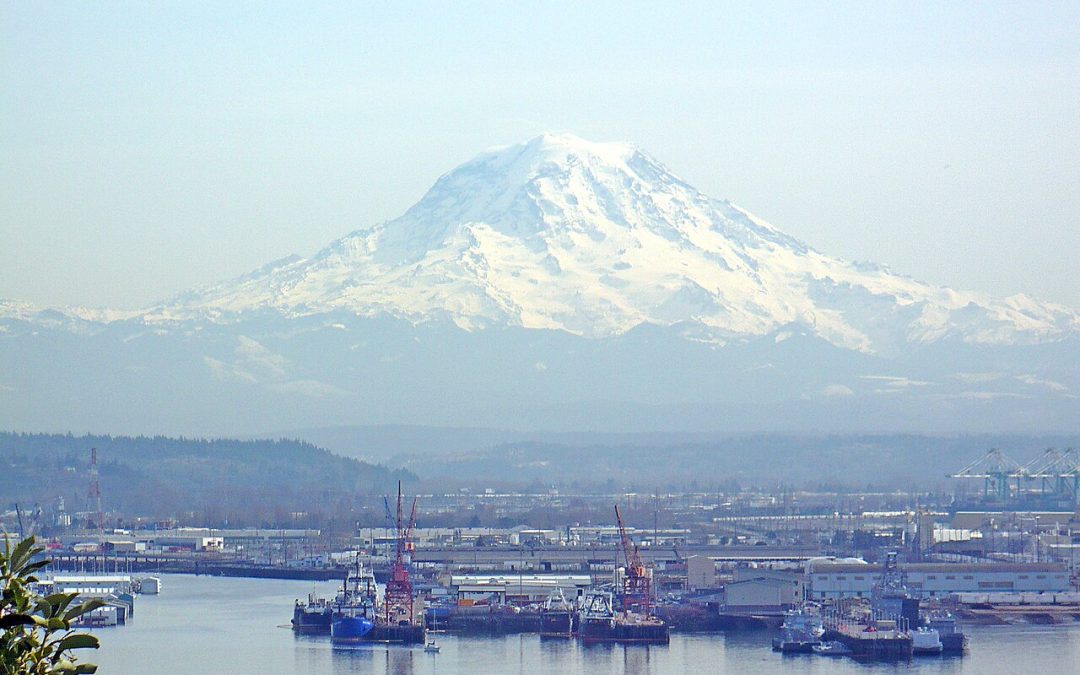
point(888, 577)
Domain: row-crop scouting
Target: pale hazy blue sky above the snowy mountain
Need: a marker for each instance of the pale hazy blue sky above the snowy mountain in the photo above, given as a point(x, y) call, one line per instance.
point(150, 147)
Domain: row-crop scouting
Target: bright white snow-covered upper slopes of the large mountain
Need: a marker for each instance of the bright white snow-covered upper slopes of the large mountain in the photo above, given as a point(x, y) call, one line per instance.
point(596, 239)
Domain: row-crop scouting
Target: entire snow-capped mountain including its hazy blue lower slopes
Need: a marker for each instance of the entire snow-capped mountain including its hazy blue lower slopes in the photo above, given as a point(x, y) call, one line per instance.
point(556, 285)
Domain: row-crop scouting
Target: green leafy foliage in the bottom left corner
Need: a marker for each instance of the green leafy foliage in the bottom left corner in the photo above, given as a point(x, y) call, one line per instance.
point(37, 636)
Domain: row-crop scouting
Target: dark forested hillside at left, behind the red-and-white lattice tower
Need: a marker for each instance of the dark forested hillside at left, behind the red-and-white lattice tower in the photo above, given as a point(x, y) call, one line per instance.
point(197, 481)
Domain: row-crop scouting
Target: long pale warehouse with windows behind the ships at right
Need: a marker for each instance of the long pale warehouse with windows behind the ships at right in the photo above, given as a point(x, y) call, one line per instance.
point(830, 580)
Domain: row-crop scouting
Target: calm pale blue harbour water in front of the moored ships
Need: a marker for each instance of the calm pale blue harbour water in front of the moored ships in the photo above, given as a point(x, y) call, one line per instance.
point(209, 625)
